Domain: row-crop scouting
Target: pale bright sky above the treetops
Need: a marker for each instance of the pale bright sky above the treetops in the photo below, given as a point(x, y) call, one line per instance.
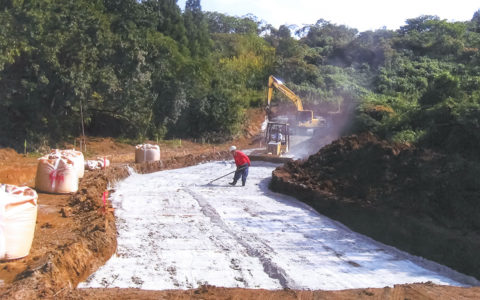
point(362, 15)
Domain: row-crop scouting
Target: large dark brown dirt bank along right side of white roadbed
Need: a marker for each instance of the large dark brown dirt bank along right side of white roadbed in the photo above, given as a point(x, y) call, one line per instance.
point(396, 193)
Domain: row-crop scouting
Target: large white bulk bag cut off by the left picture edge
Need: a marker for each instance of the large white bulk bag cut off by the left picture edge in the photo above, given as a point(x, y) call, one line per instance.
point(18, 214)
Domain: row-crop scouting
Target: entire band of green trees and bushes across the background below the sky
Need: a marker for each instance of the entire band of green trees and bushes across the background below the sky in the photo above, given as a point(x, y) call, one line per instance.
point(147, 69)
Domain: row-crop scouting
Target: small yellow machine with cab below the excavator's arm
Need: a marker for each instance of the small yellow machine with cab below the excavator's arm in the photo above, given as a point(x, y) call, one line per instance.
point(277, 138)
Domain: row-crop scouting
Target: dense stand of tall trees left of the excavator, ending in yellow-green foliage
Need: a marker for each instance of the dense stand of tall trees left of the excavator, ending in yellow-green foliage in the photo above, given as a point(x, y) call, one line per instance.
point(127, 68)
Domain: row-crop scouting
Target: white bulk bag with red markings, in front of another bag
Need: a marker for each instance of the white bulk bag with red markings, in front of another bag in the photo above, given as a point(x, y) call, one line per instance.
point(58, 176)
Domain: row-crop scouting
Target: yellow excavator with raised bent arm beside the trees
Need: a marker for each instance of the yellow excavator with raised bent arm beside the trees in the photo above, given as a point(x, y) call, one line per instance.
point(304, 120)
